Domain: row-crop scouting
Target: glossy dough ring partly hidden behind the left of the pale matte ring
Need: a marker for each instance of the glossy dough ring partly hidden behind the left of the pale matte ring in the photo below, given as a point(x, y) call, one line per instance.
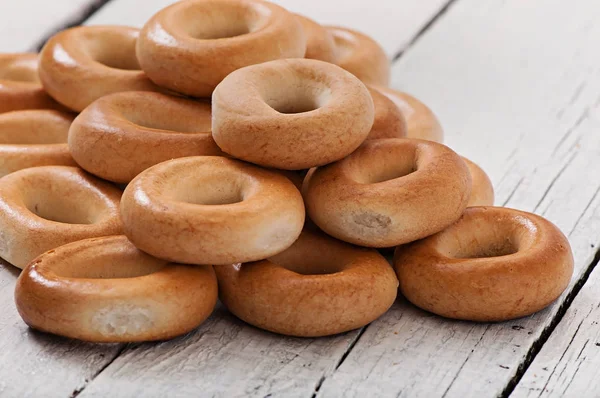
point(120, 135)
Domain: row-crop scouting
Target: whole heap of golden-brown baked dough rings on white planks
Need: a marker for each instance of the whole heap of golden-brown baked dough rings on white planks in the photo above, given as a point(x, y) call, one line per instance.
point(231, 149)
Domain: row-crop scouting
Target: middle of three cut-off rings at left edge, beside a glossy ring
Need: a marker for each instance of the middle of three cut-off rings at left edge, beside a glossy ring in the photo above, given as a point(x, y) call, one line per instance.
point(33, 138)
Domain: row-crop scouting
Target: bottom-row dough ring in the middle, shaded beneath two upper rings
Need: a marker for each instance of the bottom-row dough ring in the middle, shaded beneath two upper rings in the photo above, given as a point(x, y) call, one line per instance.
point(319, 286)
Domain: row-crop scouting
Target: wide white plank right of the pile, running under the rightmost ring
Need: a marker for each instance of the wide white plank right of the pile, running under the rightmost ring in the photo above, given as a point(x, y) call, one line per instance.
point(517, 90)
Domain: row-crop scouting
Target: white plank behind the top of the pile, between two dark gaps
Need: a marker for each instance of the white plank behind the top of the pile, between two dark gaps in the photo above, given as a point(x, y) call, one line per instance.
point(392, 23)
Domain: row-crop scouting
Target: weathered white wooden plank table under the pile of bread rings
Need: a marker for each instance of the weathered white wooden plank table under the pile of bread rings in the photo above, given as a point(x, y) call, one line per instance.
point(516, 85)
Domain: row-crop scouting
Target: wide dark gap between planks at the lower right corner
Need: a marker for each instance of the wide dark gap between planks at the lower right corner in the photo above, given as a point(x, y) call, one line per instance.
point(539, 343)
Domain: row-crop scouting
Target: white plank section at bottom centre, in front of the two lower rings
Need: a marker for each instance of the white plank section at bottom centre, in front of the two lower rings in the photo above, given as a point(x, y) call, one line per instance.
point(223, 358)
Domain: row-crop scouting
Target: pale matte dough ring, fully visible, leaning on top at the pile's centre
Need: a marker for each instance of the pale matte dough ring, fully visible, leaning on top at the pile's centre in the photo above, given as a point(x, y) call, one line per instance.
point(291, 114)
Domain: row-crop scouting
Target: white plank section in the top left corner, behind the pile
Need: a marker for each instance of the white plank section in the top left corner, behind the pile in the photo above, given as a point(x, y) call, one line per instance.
point(24, 23)
